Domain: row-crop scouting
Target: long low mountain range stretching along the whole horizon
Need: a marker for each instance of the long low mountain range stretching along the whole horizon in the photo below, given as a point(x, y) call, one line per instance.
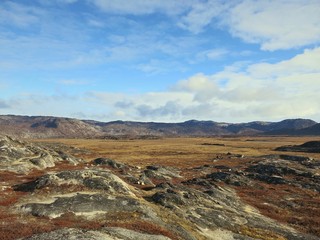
point(57, 127)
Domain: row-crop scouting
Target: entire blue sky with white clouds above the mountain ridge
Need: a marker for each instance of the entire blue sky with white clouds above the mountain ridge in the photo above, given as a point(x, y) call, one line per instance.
point(161, 60)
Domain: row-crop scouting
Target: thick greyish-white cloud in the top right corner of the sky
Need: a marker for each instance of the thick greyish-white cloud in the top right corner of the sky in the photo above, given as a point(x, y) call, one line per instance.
point(275, 24)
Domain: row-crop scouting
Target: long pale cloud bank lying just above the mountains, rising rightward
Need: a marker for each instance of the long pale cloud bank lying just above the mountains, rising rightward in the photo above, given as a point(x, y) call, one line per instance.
point(284, 89)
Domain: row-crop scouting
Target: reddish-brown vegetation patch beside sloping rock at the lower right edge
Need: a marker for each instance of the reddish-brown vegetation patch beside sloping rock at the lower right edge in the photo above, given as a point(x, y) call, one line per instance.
point(298, 207)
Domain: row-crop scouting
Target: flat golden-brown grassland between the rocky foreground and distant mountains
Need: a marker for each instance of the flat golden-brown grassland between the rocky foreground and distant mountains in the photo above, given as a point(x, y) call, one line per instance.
point(180, 152)
